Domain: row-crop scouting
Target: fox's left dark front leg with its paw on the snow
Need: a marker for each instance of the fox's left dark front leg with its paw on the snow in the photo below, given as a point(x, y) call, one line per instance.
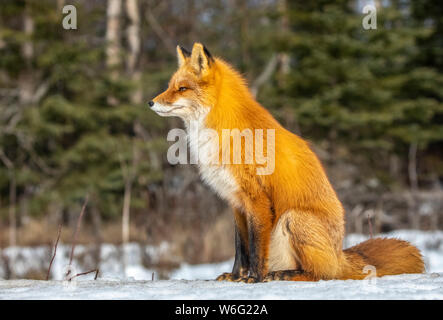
point(241, 262)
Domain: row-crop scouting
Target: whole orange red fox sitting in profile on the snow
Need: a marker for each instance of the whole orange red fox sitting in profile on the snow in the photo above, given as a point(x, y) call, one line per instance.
point(289, 224)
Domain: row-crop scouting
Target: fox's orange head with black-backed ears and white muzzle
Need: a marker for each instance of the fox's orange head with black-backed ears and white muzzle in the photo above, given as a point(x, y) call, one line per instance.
point(192, 89)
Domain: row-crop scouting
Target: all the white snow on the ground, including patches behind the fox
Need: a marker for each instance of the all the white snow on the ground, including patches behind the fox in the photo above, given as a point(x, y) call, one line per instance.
point(193, 281)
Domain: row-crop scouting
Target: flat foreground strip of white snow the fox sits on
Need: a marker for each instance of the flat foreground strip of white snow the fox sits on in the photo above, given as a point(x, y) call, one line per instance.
point(422, 286)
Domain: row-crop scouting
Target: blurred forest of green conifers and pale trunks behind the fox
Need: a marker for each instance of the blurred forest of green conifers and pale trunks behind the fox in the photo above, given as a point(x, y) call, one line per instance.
point(74, 120)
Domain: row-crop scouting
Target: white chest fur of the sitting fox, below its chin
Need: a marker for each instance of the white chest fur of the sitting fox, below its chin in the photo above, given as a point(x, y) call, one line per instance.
point(204, 151)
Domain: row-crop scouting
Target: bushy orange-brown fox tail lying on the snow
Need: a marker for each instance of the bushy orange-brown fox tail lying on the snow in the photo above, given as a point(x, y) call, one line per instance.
point(388, 256)
